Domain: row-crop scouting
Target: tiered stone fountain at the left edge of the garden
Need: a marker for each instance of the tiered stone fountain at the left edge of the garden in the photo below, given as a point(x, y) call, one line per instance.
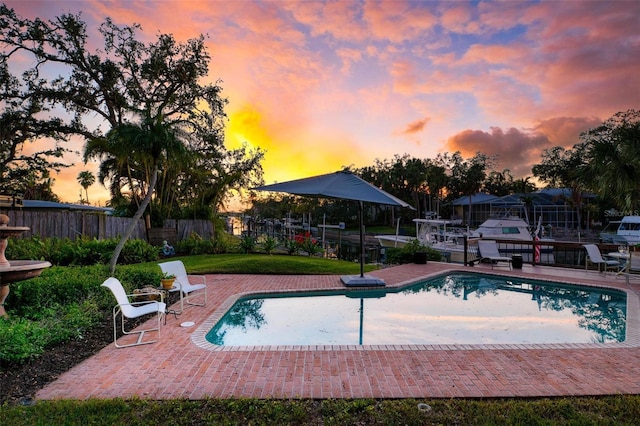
point(16, 270)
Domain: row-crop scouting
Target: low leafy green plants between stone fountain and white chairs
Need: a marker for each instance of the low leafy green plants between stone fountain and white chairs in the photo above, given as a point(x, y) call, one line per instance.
point(60, 305)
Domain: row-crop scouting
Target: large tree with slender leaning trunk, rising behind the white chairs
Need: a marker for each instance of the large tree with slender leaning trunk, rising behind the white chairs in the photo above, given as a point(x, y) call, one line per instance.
point(150, 96)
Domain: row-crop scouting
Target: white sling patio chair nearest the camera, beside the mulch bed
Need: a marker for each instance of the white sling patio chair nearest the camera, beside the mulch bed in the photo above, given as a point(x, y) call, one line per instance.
point(127, 309)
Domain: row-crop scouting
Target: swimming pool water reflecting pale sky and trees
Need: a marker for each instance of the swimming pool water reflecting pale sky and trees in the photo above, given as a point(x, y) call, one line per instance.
point(452, 309)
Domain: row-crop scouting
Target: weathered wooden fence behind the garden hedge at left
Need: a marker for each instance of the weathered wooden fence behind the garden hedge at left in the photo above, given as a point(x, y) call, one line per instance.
point(77, 224)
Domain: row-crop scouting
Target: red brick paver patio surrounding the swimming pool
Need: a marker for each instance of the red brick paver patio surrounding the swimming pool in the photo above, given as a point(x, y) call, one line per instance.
point(181, 365)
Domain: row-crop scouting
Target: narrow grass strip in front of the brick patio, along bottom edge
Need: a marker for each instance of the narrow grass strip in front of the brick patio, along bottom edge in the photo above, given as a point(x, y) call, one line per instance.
point(608, 410)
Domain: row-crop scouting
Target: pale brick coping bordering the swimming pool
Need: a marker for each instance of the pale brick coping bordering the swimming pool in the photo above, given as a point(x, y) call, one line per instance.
point(632, 339)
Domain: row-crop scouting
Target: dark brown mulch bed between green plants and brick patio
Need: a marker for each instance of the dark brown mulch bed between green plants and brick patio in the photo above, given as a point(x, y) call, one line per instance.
point(19, 383)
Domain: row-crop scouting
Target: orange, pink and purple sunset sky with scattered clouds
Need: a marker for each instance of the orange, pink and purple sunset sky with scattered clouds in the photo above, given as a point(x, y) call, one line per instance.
point(322, 85)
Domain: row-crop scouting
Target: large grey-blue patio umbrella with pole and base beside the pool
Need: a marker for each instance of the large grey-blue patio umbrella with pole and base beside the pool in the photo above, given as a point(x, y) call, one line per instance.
point(342, 185)
